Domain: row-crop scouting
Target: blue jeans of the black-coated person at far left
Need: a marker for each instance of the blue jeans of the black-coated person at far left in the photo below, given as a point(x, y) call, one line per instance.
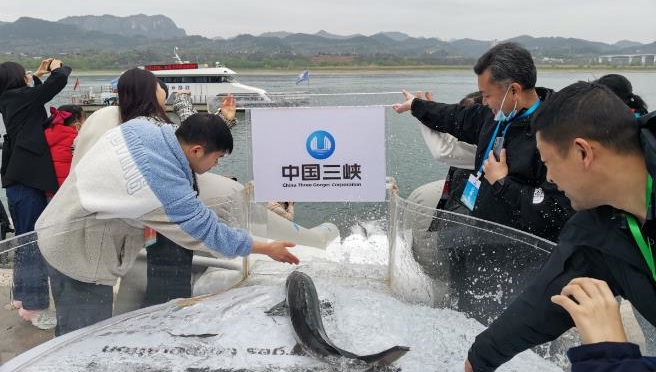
point(30, 271)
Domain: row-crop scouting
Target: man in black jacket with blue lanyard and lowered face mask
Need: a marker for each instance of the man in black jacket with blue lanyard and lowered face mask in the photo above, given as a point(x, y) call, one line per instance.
point(511, 189)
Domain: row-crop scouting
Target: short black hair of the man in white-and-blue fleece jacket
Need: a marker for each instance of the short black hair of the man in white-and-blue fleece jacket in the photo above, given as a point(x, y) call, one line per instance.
point(207, 130)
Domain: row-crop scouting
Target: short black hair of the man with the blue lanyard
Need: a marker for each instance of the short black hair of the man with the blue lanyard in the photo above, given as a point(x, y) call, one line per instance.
point(508, 63)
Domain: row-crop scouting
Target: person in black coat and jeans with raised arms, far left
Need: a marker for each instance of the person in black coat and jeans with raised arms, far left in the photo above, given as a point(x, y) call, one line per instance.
point(27, 172)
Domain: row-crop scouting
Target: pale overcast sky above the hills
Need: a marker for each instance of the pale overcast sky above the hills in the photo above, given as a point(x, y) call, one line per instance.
point(597, 20)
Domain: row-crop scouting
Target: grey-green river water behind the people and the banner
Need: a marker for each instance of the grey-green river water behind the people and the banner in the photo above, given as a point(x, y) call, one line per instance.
point(408, 159)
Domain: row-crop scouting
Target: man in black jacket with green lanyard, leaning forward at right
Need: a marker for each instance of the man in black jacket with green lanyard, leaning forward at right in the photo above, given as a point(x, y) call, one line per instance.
point(590, 142)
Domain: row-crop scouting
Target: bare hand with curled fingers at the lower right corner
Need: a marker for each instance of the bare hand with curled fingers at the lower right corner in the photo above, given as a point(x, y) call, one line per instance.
point(593, 308)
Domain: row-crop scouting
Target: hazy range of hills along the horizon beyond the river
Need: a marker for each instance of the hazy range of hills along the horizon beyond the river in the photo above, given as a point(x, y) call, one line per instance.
point(119, 42)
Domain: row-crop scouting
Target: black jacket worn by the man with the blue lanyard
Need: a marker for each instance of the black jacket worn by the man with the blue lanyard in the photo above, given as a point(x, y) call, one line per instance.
point(526, 201)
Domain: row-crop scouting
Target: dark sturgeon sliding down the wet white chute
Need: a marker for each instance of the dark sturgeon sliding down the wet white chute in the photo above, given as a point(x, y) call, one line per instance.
point(303, 306)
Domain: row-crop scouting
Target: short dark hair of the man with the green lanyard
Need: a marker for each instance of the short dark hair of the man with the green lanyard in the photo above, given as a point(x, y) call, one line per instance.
point(590, 111)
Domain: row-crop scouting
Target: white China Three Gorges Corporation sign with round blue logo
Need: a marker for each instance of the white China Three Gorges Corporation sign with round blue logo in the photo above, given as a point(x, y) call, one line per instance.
point(328, 154)
